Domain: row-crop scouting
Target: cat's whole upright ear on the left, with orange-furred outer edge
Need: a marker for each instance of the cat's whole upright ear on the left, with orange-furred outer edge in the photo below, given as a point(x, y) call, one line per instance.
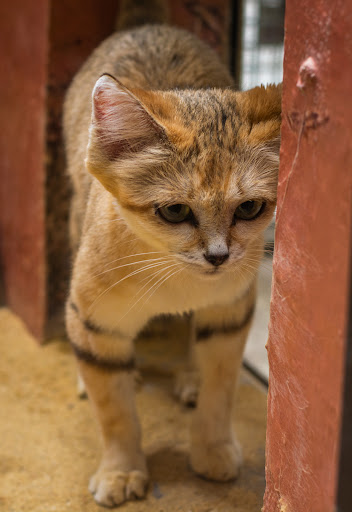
point(123, 132)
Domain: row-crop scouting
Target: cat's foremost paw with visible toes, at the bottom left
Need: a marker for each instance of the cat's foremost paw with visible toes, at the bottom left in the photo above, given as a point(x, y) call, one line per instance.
point(111, 487)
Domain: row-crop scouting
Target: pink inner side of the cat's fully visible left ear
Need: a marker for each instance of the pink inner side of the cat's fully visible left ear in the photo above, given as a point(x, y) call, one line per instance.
point(121, 123)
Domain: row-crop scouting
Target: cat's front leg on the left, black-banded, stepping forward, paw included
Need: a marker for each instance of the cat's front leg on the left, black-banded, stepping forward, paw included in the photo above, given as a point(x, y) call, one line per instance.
point(106, 364)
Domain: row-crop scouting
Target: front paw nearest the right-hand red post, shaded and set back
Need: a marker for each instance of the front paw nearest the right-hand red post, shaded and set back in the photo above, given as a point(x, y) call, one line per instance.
point(217, 461)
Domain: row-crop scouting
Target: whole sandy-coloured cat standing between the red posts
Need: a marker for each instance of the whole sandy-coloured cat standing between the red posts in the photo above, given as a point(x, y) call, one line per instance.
point(174, 176)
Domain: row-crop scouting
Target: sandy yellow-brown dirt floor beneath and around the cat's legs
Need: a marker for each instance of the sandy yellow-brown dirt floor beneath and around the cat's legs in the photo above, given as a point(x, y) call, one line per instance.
point(49, 445)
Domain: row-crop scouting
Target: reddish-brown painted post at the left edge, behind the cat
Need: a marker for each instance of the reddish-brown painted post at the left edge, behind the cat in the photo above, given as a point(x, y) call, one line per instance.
point(23, 60)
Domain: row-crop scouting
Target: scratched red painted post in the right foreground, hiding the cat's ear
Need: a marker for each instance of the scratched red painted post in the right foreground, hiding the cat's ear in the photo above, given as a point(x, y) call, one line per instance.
point(311, 262)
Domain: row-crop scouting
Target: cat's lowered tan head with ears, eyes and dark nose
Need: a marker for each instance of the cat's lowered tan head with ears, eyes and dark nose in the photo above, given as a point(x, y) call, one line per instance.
point(194, 171)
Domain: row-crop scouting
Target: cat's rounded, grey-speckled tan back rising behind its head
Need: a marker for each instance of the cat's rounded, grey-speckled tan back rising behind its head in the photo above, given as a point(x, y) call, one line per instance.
point(154, 57)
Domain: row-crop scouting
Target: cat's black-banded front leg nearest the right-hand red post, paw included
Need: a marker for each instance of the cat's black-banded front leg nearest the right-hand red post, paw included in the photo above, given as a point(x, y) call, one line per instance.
point(221, 332)
